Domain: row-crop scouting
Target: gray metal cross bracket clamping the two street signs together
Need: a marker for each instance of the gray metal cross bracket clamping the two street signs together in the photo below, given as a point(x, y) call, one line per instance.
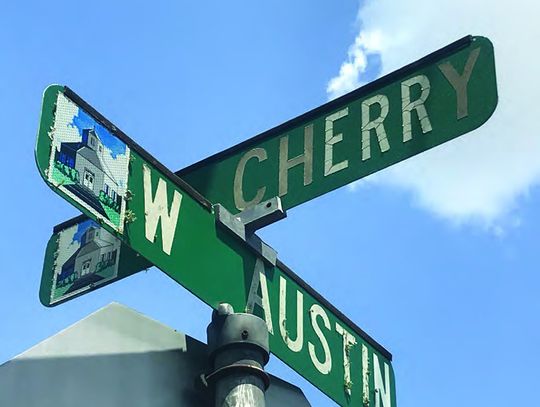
point(246, 223)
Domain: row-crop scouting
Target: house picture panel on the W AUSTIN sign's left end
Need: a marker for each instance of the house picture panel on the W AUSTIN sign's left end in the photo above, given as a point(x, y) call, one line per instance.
point(88, 163)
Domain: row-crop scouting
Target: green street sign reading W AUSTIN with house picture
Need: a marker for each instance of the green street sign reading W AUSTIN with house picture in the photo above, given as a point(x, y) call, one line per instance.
point(96, 167)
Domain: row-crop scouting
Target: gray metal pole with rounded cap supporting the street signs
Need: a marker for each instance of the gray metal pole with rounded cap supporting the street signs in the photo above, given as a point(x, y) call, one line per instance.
point(238, 351)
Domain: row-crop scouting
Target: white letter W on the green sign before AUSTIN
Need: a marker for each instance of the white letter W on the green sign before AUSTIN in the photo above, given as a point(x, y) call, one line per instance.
point(157, 209)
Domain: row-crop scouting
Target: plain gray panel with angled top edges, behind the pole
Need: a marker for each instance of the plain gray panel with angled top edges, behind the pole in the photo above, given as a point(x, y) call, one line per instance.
point(117, 357)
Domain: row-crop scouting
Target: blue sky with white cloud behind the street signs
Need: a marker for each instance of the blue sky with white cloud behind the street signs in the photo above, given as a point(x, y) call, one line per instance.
point(436, 258)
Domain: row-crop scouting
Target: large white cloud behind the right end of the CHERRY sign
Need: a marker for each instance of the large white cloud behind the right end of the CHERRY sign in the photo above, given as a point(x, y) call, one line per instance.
point(479, 177)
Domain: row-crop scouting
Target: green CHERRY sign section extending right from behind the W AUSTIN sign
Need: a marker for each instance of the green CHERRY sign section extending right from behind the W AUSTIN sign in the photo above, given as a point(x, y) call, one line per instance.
point(427, 103)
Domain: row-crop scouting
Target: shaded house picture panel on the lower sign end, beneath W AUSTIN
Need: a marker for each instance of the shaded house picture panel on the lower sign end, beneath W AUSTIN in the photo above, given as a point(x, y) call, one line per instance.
point(87, 256)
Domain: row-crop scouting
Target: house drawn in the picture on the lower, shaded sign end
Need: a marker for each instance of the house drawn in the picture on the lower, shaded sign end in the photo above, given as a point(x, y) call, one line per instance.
point(99, 250)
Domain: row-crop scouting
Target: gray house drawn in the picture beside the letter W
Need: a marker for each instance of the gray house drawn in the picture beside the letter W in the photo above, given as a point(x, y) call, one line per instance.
point(94, 181)
